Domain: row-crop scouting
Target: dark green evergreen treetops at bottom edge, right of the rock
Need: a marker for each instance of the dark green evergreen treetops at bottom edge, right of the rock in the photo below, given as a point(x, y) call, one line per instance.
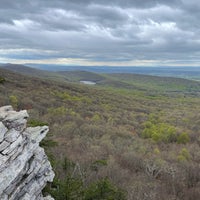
point(73, 189)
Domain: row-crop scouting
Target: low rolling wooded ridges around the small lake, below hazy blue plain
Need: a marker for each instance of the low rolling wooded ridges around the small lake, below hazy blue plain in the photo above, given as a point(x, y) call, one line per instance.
point(148, 83)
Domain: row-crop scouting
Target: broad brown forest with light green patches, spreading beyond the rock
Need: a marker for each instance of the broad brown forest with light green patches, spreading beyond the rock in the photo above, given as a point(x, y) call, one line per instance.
point(119, 130)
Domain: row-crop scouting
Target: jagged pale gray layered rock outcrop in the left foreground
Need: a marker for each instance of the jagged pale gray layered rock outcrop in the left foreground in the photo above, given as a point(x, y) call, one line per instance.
point(24, 166)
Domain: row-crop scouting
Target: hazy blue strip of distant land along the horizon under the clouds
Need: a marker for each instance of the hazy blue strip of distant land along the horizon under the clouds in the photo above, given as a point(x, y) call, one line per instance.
point(182, 72)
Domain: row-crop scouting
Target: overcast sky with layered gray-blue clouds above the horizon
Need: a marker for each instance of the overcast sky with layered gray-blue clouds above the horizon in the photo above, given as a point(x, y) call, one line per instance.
point(100, 32)
